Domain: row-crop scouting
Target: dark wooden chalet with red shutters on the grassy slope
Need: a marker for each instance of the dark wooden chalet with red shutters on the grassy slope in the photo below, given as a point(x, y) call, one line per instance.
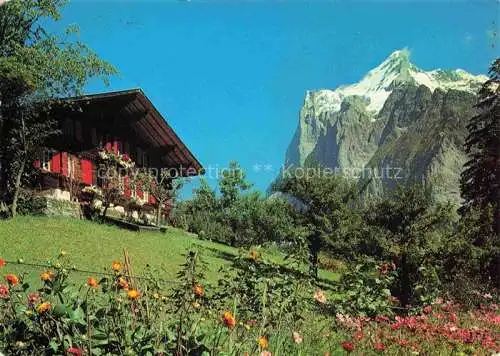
point(124, 122)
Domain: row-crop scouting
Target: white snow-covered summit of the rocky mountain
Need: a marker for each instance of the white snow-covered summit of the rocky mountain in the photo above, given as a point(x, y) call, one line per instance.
point(378, 83)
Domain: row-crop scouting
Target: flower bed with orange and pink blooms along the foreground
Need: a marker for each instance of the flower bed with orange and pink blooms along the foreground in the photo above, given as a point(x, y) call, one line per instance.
point(255, 310)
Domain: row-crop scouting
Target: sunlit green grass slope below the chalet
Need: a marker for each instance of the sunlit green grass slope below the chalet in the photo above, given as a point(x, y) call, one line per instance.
point(93, 247)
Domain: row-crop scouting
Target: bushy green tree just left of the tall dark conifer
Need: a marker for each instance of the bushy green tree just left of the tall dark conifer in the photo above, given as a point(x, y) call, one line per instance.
point(411, 231)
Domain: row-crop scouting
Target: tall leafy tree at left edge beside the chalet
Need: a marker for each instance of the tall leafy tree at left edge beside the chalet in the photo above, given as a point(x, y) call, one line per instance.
point(37, 68)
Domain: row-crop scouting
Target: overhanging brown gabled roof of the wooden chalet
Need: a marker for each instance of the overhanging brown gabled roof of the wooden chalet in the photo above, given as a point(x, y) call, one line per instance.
point(149, 124)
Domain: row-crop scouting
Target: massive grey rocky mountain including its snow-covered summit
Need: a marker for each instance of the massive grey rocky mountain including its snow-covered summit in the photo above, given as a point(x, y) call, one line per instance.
point(399, 124)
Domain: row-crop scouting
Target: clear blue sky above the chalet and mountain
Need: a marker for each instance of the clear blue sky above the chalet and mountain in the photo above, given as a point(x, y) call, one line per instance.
point(230, 76)
